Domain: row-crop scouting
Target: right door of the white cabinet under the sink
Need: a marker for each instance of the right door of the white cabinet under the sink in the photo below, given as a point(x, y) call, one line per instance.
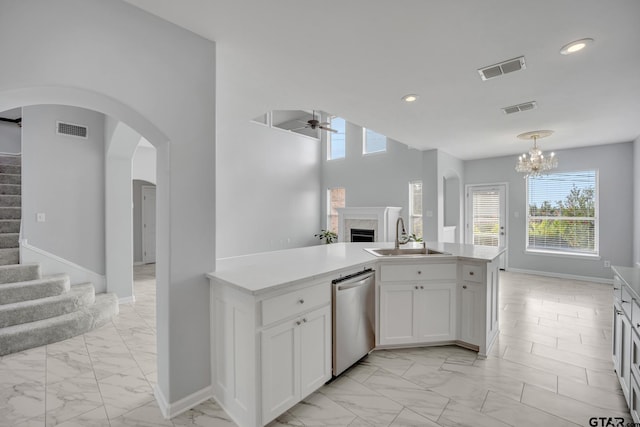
point(435, 312)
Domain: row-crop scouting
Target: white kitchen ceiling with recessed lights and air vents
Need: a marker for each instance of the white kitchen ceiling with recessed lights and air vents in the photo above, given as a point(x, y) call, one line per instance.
point(357, 58)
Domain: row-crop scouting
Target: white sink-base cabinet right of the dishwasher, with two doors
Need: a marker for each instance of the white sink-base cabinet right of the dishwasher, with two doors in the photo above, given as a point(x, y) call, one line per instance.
point(417, 303)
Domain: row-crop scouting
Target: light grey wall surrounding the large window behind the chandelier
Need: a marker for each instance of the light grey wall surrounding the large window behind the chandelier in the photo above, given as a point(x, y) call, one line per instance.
point(615, 165)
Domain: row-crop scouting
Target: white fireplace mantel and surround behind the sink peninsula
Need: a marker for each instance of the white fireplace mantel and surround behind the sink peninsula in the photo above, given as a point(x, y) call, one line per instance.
point(380, 219)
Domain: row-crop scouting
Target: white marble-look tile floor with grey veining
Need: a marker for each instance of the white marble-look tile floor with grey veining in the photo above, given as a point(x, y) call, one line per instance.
point(551, 366)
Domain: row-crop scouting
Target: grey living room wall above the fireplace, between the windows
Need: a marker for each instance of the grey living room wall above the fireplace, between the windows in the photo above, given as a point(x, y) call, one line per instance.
point(374, 180)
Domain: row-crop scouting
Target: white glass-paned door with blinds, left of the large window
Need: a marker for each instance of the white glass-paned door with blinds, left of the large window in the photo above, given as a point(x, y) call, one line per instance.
point(487, 216)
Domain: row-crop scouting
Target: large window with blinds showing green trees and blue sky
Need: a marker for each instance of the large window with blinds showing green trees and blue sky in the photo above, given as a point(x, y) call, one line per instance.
point(563, 213)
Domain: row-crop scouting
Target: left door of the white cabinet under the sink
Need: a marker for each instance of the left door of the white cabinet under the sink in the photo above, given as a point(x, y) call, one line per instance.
point(397, 305)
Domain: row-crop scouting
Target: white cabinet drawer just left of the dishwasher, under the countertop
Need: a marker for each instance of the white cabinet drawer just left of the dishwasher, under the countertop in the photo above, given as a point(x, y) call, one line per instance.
point(292, 303)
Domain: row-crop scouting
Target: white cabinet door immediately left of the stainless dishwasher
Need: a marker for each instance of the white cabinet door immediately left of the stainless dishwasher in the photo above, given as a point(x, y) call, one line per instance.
point(315, 350)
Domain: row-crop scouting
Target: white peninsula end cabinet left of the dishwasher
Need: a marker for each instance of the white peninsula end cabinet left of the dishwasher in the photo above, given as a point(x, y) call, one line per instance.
point(271, 350)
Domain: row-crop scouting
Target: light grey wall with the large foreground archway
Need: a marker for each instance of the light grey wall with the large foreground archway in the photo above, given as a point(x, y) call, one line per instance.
point(154, 76)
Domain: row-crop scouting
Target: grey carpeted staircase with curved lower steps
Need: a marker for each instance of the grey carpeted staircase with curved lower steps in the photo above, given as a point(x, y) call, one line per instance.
point(36, 310)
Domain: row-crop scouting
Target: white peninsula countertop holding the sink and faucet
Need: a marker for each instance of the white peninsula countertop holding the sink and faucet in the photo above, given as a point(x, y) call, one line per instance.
point(266, 271)
